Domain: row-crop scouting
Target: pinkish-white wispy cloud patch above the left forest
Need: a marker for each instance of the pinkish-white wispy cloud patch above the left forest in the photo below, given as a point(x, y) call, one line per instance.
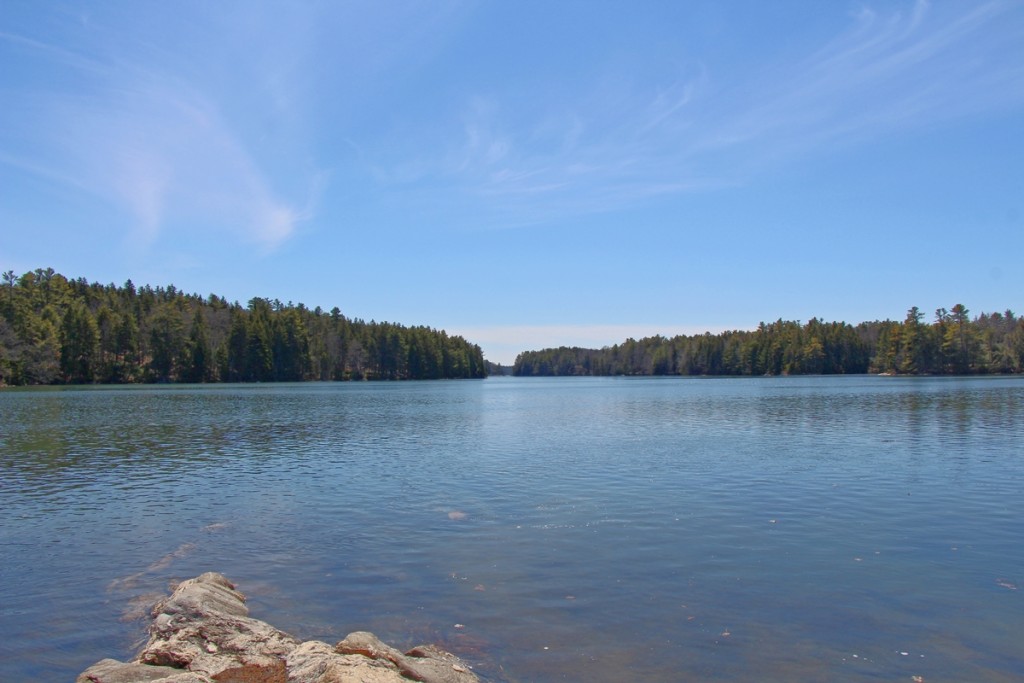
point(147, 140)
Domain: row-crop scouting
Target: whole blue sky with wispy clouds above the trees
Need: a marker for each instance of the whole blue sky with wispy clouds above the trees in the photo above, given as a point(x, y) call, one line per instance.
point(528, 175)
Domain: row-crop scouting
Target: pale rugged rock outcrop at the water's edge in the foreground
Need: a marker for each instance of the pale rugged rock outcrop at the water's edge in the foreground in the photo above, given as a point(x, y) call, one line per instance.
point(203, 634)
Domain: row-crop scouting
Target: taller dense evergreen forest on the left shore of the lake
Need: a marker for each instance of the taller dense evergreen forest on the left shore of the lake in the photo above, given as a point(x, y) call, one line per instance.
point(59, 331)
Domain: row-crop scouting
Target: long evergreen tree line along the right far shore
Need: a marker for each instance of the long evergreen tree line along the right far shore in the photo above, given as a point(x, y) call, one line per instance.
point(953, 345)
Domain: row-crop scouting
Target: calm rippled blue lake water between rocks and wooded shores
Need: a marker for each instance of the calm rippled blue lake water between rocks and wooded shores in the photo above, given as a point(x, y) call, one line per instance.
point(852, 529)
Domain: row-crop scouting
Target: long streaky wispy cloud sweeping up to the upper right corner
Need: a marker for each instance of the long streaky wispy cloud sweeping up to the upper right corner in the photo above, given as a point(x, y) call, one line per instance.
point(886, 73)
